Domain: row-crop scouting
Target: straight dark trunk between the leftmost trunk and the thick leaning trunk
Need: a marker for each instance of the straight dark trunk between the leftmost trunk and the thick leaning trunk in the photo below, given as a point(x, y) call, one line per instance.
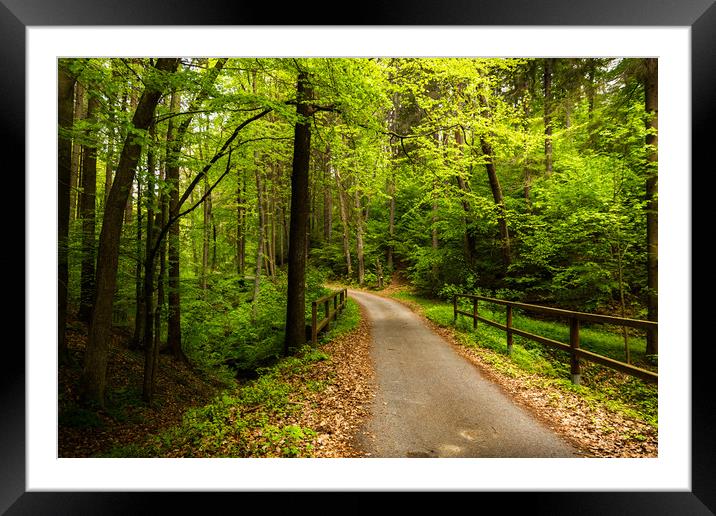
point(87, 209)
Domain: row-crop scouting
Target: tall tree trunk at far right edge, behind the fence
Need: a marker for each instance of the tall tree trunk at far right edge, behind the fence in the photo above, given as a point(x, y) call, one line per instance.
point(651, 89)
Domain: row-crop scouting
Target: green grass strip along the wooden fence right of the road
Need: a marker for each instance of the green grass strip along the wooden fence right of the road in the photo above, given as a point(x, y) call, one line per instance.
point(549, 366)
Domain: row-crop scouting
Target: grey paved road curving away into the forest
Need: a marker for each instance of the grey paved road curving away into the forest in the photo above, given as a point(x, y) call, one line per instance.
point(431, 402)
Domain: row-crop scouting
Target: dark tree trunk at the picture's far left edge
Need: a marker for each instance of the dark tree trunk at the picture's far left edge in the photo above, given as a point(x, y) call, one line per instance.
point(65, 87)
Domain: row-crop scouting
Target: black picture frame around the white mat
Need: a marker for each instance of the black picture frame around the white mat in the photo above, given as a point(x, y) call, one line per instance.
point(16, 15)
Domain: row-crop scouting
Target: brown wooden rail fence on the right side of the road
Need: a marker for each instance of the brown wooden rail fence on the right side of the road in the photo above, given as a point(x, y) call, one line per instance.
point(573, 347)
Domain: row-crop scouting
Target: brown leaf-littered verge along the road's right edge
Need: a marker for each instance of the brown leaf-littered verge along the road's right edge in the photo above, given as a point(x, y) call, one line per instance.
point(594, 427)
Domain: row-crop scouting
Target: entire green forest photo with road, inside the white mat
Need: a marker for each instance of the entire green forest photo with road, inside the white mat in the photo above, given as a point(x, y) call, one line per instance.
point(244, 243)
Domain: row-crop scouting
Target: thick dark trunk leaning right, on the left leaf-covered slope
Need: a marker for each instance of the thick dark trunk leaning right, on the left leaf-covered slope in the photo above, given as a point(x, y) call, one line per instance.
point(93, 380)
